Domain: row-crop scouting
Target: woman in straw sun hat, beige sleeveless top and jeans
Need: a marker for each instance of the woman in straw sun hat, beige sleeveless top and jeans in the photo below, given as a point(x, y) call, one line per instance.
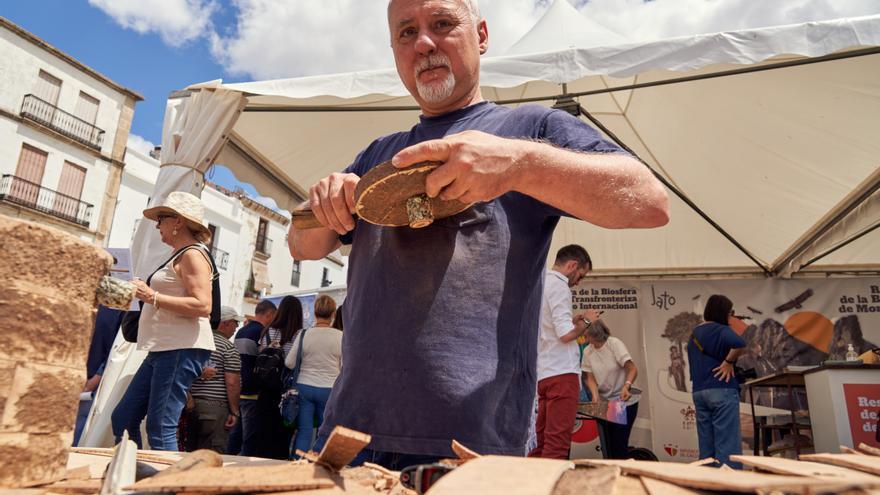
point(173, 325)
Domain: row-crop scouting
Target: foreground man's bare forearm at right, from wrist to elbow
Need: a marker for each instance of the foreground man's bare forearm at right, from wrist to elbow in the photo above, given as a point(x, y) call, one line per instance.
point(606, 189)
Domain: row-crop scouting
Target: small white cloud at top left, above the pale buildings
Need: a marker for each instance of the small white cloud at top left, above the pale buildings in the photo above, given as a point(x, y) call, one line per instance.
point(176, 21)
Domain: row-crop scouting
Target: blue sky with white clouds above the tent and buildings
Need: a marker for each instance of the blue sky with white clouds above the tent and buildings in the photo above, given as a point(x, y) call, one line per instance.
point(158, 46)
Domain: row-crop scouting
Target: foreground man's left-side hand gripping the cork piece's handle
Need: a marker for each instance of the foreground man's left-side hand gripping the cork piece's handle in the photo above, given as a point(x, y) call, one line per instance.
point(332, 201)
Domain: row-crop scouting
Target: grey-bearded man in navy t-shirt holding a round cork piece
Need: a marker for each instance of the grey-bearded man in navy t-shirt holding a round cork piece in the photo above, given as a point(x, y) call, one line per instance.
point(441, 322)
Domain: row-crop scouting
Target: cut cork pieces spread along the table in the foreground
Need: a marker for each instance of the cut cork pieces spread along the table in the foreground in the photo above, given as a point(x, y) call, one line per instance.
point(854, 472)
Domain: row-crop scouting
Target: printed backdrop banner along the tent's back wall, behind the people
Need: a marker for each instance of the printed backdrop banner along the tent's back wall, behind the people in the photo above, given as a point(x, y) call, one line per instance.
point(784, 322)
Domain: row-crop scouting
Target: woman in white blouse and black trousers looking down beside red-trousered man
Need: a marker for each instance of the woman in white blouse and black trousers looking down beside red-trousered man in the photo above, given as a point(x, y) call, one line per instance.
point(610, 373)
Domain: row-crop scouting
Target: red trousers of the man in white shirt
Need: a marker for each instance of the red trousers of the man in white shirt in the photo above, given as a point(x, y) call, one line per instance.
point(557, 407)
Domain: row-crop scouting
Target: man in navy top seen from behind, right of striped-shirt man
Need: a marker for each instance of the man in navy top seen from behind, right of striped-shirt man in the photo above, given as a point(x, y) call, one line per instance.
point(246, 435)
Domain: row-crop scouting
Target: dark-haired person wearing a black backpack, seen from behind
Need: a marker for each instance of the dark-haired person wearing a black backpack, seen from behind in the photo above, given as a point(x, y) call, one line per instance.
point(275, 343)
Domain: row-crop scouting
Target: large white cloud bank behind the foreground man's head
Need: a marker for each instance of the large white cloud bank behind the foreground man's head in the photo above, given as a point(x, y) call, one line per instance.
point(277, 39)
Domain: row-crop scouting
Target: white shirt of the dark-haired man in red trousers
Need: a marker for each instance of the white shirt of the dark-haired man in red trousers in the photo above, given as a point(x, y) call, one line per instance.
point(556, 357)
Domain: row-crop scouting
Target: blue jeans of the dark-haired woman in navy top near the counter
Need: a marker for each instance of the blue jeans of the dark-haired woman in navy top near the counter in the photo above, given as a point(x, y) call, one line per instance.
point(718, 427)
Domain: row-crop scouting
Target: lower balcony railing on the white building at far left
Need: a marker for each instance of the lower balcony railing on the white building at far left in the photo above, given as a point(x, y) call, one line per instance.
point(24, 193)
